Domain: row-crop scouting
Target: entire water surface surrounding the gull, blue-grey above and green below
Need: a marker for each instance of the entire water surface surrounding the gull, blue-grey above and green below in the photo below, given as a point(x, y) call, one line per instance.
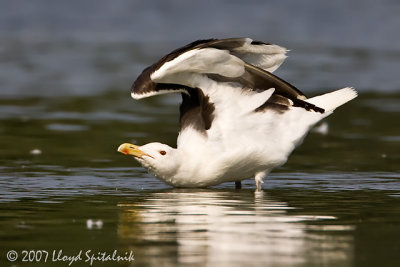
point(65, 75)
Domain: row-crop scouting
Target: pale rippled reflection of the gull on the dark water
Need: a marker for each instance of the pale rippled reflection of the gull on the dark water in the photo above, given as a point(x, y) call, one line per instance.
point(211, 228)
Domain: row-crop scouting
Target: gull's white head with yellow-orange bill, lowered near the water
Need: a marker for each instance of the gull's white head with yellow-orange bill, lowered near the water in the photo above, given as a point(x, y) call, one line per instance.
point(160, 159)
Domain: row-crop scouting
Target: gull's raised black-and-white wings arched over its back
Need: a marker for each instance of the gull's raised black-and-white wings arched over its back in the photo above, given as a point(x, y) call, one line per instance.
point(200, 67)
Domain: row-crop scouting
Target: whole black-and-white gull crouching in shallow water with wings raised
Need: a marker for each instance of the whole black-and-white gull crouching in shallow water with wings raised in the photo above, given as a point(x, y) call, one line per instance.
point(237, 119)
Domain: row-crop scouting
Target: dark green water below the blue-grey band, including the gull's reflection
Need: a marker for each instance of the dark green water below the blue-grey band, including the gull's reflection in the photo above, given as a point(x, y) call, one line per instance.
point(336, 202)
